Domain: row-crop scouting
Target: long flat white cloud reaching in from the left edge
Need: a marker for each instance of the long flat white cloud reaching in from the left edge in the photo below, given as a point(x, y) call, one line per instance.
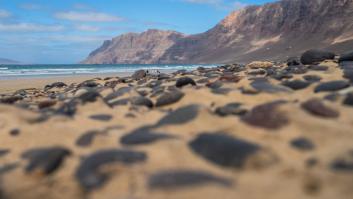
point(30, 27)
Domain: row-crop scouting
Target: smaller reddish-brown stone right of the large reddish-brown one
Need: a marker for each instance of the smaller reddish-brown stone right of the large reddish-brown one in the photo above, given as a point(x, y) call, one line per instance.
point(318, 108)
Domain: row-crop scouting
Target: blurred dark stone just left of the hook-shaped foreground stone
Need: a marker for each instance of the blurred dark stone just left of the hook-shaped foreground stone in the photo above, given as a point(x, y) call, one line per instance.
point(45, 160)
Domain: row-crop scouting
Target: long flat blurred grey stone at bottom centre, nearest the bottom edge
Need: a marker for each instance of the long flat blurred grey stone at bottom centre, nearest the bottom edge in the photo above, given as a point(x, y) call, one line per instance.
point(173, 179)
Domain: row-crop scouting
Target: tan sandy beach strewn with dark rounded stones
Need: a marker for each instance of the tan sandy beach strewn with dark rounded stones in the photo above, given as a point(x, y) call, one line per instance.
point(276, 170)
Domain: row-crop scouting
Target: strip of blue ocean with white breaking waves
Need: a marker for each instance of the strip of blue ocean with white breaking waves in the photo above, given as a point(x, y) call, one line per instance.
point(44, 70)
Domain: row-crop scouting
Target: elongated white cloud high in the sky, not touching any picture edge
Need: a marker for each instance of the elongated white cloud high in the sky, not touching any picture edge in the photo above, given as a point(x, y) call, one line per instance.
point(87, 16)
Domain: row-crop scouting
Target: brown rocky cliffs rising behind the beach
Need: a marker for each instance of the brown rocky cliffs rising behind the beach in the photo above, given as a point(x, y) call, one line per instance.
point(272, 31)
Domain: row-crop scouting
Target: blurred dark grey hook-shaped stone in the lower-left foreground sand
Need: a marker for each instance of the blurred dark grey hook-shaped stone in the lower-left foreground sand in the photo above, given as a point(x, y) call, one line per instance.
point(88, 173)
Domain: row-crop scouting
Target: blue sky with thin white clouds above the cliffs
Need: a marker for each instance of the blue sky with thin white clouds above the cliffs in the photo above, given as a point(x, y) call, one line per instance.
point(66, 31)
